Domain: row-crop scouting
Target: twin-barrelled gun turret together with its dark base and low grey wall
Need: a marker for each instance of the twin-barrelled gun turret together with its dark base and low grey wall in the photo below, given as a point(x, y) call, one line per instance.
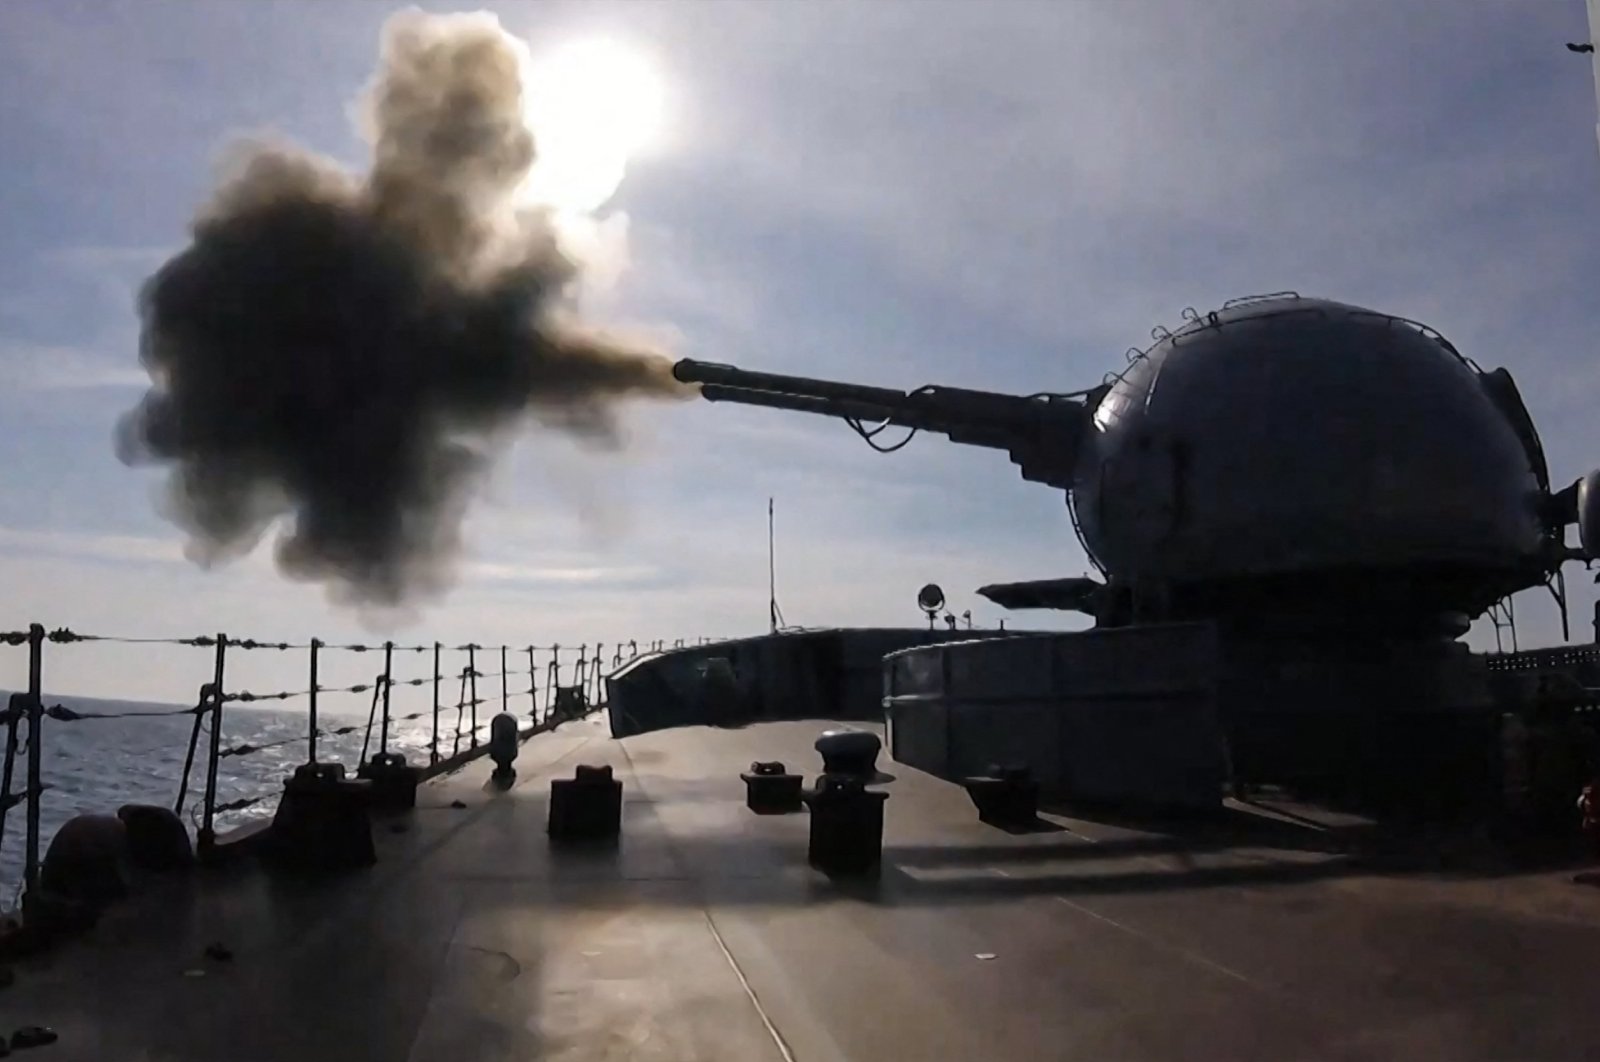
point(1295, 508)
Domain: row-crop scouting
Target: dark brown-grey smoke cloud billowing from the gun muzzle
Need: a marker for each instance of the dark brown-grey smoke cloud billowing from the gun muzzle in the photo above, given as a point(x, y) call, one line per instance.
point(340, 356)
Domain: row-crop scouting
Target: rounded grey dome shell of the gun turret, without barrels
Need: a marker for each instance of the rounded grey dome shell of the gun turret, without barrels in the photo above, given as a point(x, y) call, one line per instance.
point(1303, 436)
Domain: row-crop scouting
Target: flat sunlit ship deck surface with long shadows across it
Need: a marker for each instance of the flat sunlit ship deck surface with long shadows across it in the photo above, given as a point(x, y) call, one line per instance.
point(705, 936)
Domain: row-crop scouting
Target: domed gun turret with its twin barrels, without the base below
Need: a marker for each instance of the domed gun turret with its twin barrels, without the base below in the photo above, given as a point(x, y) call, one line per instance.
point(1276, 457)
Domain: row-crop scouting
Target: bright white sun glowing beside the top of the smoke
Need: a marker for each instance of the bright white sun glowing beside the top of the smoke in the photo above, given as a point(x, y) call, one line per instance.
point(593, 106)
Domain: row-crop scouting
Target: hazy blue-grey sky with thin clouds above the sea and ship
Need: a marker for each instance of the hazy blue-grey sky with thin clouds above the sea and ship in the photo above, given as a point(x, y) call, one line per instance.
point(991, 194)
